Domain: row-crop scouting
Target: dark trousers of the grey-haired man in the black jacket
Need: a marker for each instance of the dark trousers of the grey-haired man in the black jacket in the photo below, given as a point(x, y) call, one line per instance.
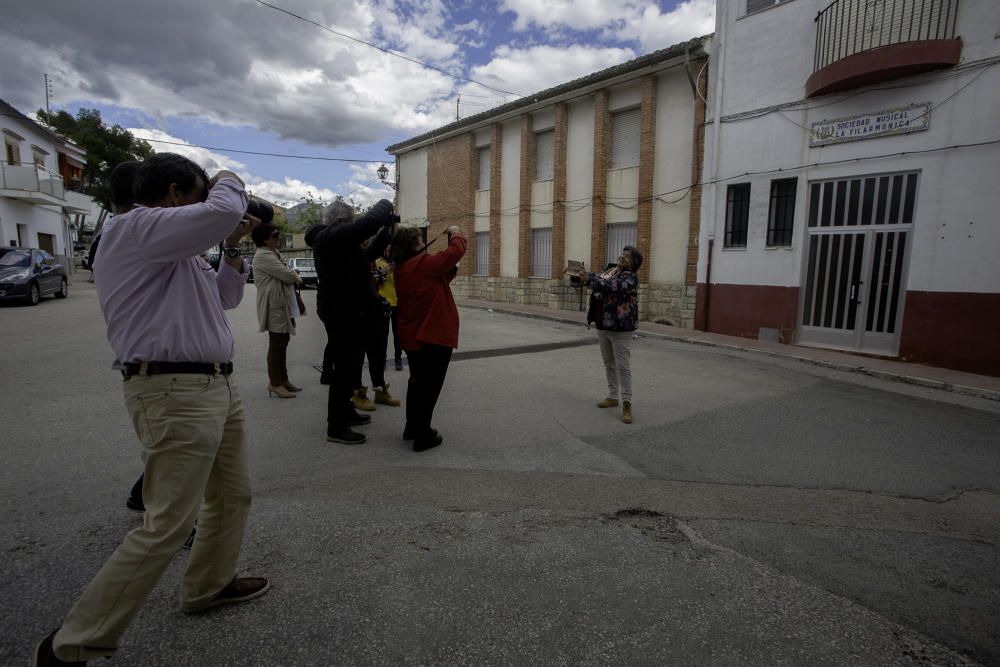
point(345, 347)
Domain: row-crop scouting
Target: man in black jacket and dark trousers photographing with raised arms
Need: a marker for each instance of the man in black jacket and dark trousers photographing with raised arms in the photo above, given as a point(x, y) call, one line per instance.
point(345, 298)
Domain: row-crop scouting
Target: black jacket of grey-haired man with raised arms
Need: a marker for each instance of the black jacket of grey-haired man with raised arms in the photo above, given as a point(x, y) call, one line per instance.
point(344, 267)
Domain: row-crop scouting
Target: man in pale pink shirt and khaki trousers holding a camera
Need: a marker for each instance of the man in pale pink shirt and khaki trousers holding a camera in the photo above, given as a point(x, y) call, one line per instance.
point(164, 307)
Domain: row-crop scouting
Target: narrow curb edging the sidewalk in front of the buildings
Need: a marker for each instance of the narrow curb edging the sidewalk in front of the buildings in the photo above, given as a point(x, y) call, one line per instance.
point(964, 390)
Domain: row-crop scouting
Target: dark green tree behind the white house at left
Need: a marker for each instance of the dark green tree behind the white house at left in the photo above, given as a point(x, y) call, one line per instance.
point(106, 147)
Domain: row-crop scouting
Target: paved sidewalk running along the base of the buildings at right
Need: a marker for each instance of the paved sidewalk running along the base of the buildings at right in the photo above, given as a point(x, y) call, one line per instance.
point(969, 384)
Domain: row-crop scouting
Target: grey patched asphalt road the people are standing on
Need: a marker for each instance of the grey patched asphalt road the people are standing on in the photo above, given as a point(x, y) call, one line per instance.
point(758, 511)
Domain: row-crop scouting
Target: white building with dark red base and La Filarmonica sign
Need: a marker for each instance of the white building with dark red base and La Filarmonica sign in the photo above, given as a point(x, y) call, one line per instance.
point(851, 161)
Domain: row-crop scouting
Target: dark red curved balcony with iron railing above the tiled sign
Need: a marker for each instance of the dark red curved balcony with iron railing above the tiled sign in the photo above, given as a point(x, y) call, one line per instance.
point(862, 42)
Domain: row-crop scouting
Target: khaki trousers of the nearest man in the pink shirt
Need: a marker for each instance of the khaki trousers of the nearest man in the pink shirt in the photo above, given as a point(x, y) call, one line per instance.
point(191, 430)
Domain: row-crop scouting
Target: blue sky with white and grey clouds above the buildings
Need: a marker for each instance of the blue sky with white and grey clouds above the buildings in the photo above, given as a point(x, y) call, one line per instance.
point(248, 75)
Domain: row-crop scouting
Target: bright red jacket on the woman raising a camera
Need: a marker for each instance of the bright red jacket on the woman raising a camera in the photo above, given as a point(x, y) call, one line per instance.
point(426, 309)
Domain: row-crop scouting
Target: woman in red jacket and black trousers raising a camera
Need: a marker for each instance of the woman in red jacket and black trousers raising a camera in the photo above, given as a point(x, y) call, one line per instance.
point(427, 322)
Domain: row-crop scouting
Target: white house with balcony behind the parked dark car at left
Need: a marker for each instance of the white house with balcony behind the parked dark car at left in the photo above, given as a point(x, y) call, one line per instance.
point(37, 209)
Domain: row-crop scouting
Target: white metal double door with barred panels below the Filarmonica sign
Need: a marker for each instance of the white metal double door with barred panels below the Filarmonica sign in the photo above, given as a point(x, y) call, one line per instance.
point(856, 264)
